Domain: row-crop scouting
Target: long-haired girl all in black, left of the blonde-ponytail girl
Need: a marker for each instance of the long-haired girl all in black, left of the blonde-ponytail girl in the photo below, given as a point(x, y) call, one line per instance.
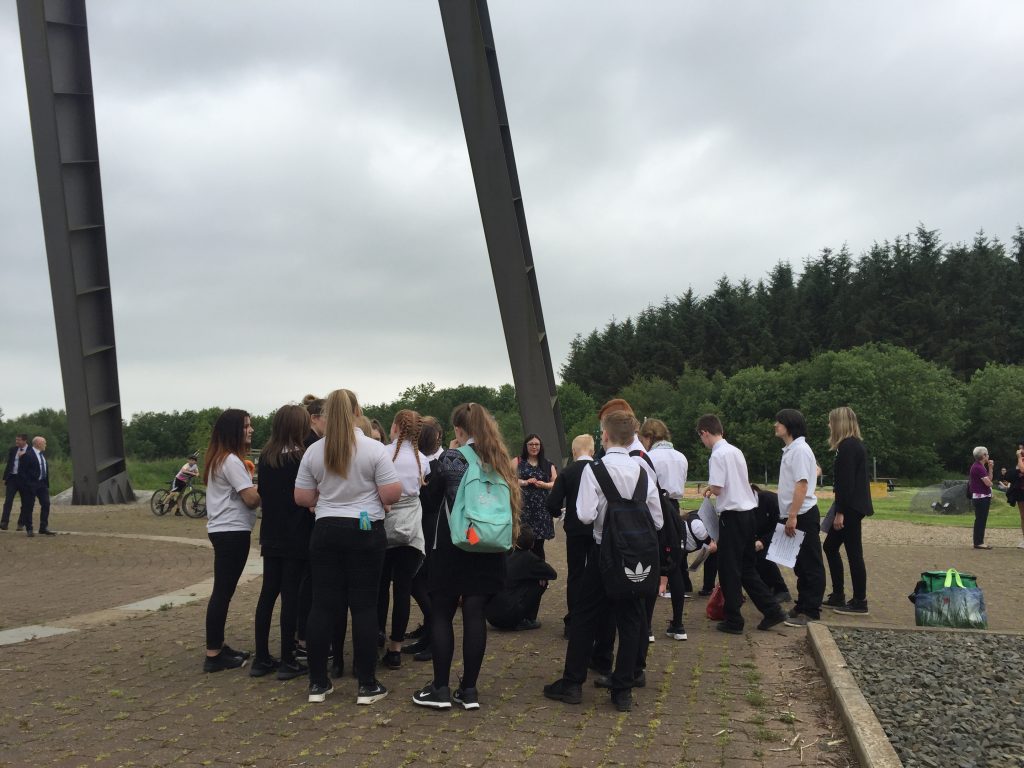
point(284, 538)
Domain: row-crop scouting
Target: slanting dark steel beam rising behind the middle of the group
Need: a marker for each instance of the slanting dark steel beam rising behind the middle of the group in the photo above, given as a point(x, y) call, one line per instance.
point(479, 87)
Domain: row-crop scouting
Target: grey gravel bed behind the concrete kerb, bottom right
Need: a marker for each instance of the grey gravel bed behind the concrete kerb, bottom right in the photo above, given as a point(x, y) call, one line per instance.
point(945, 699)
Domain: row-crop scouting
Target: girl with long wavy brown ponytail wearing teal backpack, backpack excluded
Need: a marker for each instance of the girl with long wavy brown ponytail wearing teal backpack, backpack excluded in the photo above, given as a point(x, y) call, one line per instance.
point(467, 577)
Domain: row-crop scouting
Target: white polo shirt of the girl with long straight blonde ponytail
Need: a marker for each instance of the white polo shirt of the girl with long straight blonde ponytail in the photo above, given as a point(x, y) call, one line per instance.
point(348, 497)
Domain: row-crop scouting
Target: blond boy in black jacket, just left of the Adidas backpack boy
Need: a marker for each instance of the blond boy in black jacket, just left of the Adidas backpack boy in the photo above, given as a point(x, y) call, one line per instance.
point(579, 538)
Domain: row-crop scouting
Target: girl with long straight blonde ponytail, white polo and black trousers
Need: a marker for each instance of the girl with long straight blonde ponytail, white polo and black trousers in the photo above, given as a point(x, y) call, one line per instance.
point(350, 480)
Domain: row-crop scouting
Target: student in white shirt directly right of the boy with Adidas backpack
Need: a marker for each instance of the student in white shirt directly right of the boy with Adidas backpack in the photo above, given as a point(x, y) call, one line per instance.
point(672, 467)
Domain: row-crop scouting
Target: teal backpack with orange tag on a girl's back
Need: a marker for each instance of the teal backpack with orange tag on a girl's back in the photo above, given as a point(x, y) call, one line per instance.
point(481, 521)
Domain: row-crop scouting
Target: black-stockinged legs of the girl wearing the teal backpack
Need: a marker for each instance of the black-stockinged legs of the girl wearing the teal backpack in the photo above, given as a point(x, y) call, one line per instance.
point(475, 636)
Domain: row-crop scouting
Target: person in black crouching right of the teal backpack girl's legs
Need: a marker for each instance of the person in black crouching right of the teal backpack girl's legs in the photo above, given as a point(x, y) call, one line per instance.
point(527, 578)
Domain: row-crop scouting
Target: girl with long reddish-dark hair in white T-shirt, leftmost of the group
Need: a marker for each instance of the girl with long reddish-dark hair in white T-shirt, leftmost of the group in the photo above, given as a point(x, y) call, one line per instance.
point(231, 507)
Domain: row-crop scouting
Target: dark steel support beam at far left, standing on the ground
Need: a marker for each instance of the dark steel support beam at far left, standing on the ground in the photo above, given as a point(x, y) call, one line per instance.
point(59, 78)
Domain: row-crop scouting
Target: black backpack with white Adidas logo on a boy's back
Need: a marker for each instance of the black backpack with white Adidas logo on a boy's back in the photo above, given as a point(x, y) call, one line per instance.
point(629, 554)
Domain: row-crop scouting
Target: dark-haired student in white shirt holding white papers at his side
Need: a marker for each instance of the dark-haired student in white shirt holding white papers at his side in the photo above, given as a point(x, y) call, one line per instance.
point(798, 507)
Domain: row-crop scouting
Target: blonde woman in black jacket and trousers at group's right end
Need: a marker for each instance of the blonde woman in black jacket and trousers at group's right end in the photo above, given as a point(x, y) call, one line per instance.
point(852, 505)
